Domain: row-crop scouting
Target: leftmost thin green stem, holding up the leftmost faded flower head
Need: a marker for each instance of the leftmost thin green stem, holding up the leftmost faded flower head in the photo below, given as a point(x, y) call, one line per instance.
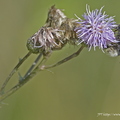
point(14, 70)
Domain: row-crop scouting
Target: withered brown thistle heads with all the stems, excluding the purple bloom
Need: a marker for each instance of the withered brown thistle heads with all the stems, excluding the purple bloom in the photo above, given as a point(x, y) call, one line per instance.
point(54, 35)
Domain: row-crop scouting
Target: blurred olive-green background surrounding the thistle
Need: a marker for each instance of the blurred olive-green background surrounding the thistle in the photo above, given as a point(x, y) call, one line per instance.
point(76, 90)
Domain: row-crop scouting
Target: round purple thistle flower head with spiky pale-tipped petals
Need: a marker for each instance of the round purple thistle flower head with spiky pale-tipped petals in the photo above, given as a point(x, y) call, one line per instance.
point(96, 29)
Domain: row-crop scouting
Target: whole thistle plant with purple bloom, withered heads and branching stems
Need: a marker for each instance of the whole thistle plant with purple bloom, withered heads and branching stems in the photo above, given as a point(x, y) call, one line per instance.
point(96, 30)
